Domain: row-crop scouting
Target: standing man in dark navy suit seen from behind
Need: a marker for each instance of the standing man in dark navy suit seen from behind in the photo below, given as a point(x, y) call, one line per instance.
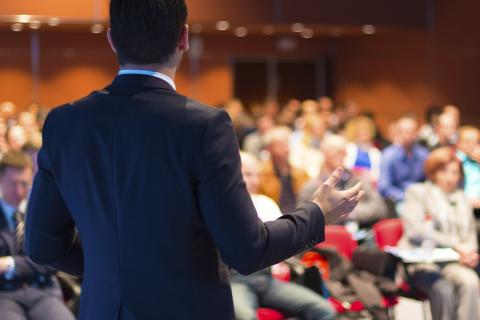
point(152, 182)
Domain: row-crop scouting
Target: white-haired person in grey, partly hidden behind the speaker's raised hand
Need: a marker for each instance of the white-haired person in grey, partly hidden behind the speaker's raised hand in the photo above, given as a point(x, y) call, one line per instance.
point(371, 207)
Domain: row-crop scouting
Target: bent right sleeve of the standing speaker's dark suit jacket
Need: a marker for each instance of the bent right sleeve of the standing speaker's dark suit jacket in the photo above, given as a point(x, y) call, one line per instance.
point(244, 241)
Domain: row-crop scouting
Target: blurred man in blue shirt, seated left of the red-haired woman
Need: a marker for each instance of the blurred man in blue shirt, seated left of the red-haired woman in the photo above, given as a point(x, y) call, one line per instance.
point(402, 162)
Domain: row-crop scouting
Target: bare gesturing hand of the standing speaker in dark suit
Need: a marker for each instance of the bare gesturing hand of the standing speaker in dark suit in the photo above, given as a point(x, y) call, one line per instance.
point(336, 204)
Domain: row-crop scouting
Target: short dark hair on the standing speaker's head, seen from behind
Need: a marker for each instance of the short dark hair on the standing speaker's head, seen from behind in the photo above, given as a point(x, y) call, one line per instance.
point(146, 31)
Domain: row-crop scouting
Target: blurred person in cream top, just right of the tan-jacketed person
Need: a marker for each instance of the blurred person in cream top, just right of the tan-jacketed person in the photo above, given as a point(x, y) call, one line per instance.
point(305, 144)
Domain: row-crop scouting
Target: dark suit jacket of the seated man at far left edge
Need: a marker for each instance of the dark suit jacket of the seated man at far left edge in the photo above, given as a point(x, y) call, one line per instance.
point(25, 269)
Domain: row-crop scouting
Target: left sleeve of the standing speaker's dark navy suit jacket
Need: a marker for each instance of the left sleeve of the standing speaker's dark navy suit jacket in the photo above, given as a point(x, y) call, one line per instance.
point(50, 236)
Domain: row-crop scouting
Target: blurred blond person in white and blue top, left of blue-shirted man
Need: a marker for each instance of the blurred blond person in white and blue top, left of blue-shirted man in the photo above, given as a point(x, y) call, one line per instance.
point(362, 156)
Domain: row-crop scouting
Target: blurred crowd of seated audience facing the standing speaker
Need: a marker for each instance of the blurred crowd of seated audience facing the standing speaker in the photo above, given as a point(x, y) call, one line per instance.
point(424, 172)
